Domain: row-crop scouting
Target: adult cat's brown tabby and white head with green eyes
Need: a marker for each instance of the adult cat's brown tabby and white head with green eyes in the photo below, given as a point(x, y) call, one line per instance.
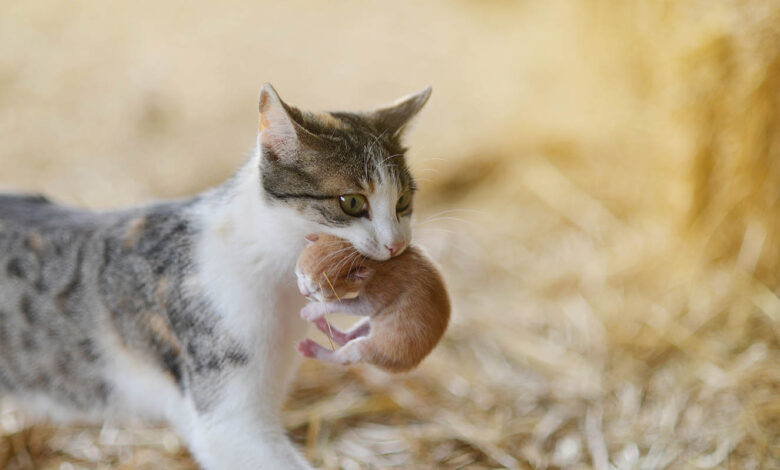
point(344, 171)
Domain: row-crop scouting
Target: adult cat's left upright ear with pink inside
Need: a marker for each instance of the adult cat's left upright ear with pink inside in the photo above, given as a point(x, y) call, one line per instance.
point(280, 136)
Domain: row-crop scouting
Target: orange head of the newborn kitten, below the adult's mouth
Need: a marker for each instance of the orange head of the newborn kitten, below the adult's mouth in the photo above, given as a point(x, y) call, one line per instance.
point(330, 269)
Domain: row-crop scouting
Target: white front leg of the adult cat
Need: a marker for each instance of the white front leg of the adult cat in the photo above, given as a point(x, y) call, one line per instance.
point(237, 417)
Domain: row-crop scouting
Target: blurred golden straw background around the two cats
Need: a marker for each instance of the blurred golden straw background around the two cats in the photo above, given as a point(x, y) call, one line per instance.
point(600, 182)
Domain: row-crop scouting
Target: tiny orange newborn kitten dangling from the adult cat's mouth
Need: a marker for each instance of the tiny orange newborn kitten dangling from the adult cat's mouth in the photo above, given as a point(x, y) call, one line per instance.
point(404, 299)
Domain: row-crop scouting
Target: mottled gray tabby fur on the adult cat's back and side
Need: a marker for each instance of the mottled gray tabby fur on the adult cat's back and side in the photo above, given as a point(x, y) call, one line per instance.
point(68, 271)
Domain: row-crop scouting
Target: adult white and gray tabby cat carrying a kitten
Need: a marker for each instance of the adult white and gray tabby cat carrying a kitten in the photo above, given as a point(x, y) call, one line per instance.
point(187, 310)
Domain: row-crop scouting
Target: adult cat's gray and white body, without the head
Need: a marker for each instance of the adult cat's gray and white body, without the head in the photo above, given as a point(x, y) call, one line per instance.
point(156, 312)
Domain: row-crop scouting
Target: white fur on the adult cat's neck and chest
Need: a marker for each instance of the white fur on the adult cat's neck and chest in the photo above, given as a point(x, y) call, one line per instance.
point(246, 257)
